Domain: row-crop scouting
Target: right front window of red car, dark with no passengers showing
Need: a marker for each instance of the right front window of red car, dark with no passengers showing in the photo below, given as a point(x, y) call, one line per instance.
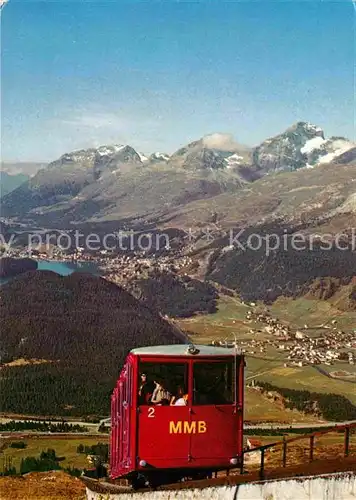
point(213, 383)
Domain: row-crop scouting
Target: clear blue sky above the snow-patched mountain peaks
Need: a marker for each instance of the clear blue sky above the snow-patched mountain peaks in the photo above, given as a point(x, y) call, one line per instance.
point(157, 75)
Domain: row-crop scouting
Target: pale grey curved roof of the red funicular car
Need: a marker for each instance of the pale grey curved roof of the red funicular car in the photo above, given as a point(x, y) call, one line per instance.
point(182, 350)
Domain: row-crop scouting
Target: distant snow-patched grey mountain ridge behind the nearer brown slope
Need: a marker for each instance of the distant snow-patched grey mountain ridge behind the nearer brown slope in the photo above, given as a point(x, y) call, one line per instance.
point(116, 182)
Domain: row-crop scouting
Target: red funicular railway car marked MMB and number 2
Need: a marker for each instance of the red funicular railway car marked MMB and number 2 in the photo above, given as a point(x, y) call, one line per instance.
point(177, 412)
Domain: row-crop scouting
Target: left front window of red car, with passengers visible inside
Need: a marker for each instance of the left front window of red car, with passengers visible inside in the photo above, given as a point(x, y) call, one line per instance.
point(172, 377)
